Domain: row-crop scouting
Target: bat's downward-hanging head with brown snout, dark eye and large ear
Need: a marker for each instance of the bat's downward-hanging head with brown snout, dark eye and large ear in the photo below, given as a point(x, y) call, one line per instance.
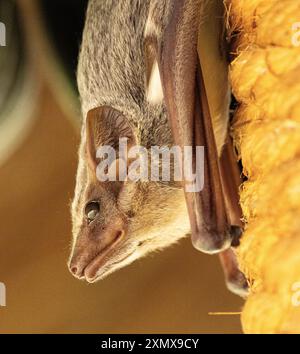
point(117, 221)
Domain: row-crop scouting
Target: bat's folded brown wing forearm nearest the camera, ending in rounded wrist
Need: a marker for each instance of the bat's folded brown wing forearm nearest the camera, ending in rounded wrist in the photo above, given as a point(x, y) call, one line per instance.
point(187, 105)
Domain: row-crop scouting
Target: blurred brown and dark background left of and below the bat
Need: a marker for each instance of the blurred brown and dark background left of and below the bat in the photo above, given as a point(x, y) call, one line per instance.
point(171, 291)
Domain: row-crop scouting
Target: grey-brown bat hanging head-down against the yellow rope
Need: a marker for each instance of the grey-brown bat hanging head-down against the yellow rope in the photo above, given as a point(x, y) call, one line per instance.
point(140, 78)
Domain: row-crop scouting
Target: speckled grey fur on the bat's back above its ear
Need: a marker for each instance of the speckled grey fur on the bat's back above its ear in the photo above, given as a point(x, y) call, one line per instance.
point(111, 68)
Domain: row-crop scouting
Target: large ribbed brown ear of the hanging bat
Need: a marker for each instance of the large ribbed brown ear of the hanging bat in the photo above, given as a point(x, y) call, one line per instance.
point(105, 126)
